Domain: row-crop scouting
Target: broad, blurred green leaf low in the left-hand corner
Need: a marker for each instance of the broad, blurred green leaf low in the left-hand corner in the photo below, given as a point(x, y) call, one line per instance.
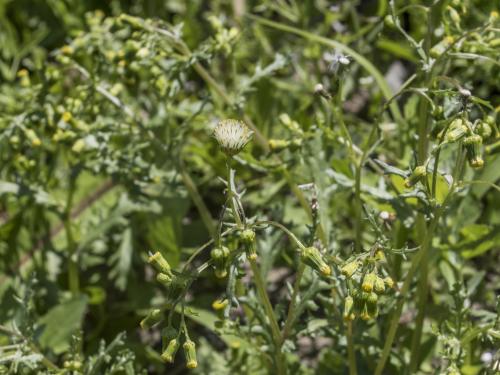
point(61, 322)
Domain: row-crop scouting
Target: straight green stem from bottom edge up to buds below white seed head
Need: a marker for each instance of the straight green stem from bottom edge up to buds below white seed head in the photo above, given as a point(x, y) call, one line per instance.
point(261, 290)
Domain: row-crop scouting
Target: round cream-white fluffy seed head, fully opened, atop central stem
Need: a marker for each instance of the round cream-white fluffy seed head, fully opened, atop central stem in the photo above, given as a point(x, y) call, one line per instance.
point(232, 135)
